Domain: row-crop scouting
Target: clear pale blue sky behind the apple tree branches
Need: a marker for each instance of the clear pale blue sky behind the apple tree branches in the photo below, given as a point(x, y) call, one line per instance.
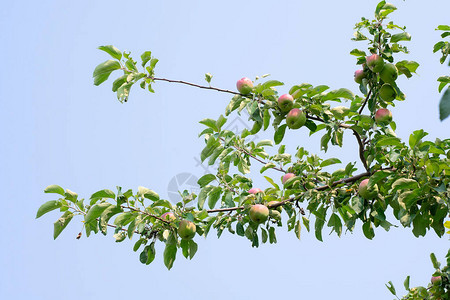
point(58, 128)
